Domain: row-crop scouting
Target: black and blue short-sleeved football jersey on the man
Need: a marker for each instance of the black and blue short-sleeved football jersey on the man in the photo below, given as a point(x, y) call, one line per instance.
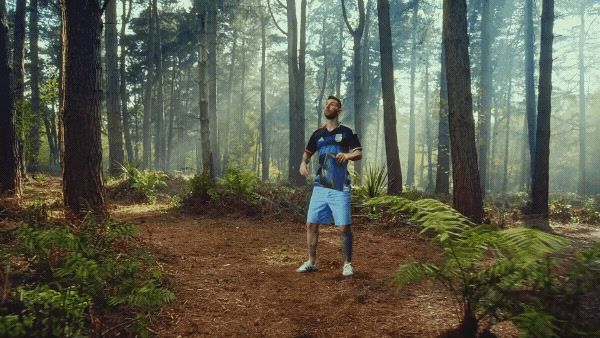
point(327, 144)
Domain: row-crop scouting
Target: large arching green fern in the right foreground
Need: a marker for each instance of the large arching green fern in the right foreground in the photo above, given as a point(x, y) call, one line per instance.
point(484, 268)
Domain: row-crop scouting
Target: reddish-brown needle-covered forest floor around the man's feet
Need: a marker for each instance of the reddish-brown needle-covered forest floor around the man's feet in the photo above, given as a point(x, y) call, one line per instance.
point(235, 276)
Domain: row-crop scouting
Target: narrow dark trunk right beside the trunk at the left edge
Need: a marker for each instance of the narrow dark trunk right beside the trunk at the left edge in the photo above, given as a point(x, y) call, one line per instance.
point(19, 79)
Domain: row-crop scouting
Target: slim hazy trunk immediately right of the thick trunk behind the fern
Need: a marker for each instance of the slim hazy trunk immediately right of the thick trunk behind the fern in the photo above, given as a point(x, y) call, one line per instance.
point(486, 94)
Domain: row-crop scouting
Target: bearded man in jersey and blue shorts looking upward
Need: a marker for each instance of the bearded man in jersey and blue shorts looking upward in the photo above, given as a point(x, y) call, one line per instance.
point(336, 144)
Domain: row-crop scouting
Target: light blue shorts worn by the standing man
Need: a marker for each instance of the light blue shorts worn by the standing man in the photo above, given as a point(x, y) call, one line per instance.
point(329, 205)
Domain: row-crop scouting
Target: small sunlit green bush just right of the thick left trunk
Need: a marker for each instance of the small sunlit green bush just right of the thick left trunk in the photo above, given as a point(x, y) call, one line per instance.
point(144, 181)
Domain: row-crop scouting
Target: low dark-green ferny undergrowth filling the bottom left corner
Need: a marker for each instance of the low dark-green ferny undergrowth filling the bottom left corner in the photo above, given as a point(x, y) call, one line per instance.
point(75, 270)
